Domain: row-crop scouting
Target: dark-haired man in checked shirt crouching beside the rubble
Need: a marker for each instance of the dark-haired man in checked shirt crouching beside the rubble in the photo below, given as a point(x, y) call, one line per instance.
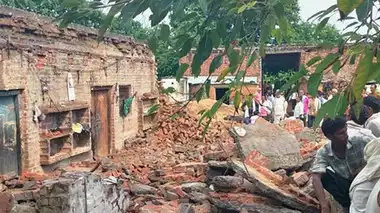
point(337, 163)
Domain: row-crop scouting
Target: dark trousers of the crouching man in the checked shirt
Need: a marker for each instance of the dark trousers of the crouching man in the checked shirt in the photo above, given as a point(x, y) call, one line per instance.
point(338, 187)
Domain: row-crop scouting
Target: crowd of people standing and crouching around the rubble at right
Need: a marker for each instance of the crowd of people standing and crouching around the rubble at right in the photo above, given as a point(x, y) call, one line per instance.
point(348, 166)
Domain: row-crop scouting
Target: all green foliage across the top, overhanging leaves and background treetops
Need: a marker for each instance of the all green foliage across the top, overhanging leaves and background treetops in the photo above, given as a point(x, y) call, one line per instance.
point(208, 24)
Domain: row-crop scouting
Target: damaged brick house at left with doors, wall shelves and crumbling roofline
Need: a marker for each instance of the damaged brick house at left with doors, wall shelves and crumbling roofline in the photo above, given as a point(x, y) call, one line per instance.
point(70, 78)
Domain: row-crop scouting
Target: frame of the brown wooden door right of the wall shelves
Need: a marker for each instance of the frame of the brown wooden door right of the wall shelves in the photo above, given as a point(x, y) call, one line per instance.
point(108, 89)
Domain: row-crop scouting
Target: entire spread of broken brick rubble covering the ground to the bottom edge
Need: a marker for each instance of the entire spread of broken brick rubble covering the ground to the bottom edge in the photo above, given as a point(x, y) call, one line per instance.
point(169, 173)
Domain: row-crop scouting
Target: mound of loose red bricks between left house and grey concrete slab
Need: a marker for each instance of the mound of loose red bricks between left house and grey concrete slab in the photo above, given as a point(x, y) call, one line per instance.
point(175, 143)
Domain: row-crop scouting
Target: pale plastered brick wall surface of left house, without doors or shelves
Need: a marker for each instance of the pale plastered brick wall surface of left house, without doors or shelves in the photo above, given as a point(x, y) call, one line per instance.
point(29, 59)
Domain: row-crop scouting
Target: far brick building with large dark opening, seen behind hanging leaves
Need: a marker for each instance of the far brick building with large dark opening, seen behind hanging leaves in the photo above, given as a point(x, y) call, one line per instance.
point(281, 58)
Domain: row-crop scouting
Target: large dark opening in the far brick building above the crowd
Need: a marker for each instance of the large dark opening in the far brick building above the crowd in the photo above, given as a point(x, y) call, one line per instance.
point(275, 65)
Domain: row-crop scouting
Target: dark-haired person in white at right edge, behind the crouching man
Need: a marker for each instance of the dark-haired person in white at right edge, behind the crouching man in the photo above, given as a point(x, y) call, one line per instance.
point(373, 122)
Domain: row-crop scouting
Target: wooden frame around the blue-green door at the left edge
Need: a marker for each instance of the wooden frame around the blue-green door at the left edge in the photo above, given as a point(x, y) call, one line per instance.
point(16, 95)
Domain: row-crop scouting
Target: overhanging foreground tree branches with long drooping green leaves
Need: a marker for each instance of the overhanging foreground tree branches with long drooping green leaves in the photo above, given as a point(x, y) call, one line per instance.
point(249, 24)
